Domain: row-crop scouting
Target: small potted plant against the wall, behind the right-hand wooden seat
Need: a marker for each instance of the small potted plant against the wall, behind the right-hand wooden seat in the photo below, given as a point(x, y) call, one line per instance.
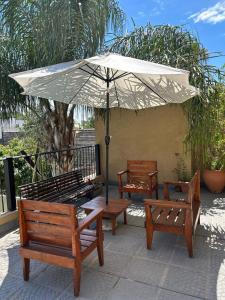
point(182, 174)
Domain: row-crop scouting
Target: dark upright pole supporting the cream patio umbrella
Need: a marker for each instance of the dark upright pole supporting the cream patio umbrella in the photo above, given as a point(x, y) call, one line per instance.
point(107, 141)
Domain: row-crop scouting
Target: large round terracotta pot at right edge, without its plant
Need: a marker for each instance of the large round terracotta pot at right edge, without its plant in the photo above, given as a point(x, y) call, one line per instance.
point(214, 180)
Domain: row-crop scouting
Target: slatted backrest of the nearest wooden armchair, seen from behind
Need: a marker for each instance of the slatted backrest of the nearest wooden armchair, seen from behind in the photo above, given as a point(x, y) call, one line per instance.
point(47, 223)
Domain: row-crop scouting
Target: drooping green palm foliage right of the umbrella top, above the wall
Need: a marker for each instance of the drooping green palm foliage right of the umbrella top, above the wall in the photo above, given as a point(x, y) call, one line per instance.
point(179, 48)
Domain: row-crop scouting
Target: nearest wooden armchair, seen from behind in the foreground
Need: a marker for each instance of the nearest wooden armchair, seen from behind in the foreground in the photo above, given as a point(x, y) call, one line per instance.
point(50, 232)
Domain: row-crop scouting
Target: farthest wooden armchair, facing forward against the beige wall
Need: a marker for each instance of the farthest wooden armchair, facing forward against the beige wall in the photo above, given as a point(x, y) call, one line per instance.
point(142, 177)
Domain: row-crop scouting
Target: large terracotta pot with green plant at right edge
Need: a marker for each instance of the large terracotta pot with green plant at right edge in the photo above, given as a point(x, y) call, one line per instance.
point(214, 174)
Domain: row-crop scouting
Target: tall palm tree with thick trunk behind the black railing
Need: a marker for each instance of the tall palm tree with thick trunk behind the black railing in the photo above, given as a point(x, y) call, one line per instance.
point(43, 32)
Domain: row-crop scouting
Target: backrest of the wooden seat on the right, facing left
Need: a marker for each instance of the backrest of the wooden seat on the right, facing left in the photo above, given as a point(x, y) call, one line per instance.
point(193, 194)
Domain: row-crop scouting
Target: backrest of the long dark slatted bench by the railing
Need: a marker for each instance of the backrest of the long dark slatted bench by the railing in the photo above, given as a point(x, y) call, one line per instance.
point(48, 188)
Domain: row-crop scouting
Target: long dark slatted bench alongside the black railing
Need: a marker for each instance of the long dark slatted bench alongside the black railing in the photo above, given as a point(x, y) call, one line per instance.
point(66, 187)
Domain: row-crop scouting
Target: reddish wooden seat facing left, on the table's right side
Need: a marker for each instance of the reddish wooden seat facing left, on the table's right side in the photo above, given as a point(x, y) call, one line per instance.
point(175, 216)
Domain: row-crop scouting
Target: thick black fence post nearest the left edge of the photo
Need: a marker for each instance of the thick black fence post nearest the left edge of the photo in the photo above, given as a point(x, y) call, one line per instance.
point(10, 183)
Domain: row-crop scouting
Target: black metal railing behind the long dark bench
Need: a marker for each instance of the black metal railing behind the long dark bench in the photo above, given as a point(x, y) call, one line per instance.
point(25, 168)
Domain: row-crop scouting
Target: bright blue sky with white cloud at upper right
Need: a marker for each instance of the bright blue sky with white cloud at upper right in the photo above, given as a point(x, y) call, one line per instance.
point(206, 18)
